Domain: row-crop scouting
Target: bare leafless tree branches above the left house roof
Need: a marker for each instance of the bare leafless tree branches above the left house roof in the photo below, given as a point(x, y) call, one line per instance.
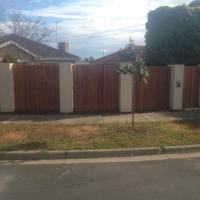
point(27, 27)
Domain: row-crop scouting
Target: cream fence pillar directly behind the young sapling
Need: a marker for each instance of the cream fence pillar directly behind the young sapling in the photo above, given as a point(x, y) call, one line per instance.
point(126, 89)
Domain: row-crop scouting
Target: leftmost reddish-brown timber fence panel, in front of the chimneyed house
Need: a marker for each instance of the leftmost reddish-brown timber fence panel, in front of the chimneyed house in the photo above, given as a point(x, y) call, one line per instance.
point(36, 88)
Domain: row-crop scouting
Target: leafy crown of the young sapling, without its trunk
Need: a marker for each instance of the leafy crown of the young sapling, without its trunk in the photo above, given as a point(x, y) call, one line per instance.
point(135, 66)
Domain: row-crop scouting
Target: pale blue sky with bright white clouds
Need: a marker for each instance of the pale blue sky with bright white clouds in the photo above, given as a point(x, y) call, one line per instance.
point(92, 27)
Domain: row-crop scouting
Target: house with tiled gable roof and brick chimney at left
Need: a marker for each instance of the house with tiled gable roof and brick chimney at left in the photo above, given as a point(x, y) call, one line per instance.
point(25, 50)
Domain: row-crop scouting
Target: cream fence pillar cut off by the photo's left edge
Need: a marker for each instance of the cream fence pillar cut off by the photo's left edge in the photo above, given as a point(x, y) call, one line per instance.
point(7, 99)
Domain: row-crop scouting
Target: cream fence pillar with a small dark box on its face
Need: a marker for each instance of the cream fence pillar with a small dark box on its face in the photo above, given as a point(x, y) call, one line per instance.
point(176, 92)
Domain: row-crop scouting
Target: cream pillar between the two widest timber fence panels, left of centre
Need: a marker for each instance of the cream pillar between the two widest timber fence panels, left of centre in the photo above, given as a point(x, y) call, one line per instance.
point(66, 87)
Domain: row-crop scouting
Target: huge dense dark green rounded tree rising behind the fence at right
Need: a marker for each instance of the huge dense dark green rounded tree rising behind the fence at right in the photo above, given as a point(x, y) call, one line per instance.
point(173, 36)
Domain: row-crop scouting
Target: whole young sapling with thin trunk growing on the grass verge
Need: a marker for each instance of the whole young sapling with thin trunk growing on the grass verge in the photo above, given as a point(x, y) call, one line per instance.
point(135, 67)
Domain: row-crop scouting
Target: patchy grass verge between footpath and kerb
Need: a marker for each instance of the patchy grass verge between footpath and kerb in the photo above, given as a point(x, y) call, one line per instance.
point(65, 137)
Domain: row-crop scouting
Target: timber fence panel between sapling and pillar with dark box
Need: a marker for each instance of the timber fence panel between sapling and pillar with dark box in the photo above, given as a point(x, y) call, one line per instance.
point(155, 95)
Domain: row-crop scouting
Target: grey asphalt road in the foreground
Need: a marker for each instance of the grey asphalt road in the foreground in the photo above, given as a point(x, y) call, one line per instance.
point(164, 178)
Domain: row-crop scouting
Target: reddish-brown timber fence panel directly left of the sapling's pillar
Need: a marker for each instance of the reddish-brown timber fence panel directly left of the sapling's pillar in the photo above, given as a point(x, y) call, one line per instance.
point(96, 88)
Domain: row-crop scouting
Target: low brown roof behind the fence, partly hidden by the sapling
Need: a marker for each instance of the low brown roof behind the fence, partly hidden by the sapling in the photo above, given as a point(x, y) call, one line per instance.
point(116, 57)
